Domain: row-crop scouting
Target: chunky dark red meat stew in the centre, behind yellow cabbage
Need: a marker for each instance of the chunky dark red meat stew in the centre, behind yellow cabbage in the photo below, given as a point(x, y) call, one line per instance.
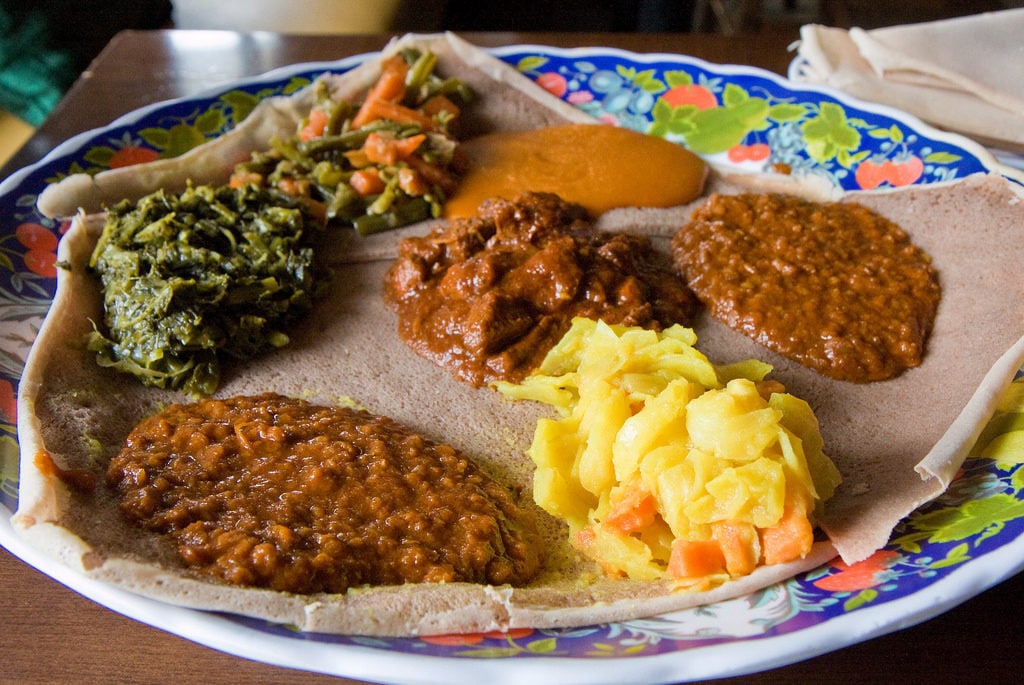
point(487, 297)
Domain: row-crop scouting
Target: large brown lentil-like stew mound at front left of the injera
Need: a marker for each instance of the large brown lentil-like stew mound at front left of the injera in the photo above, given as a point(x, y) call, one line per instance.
point(276, 493)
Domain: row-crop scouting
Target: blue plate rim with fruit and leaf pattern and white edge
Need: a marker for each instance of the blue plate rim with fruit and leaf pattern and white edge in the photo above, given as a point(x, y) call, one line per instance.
point(951, 550)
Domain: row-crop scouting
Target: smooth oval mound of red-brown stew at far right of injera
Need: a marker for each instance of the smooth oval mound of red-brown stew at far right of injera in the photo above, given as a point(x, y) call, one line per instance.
point(833, 286)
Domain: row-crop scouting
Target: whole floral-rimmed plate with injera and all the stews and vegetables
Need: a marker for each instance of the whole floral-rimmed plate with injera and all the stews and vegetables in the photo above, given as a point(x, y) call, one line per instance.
point(449, 360)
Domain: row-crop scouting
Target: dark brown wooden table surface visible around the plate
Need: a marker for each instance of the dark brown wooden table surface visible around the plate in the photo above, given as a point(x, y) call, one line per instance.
point(54, 635)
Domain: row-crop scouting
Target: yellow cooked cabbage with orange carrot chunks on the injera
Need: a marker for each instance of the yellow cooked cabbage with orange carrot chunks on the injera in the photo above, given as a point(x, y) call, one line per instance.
point(666, 466)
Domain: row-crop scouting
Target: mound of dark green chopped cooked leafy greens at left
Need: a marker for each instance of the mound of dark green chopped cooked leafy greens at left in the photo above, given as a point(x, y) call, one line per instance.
point(191, 278)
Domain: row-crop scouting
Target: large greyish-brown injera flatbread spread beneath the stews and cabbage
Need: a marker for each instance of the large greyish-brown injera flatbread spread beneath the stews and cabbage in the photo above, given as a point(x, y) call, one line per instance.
point(878, 435)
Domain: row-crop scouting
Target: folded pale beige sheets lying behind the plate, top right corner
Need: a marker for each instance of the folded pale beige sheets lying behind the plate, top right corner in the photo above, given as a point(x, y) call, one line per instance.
point(964, 75)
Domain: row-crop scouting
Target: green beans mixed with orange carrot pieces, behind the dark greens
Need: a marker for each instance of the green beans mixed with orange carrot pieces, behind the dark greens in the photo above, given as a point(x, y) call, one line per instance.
point(338, 142)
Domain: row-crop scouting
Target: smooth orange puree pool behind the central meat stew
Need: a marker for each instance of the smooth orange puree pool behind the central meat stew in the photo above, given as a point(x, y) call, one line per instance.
point(600, 167)
